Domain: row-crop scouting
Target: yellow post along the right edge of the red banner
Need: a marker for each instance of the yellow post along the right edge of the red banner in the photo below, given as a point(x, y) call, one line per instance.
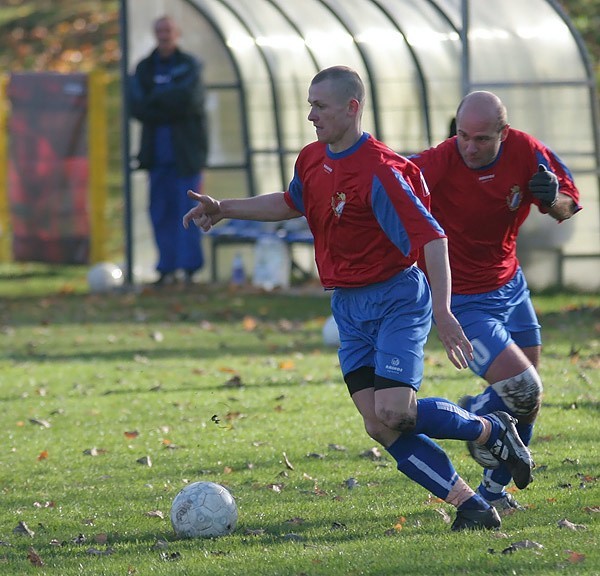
point(98, 158)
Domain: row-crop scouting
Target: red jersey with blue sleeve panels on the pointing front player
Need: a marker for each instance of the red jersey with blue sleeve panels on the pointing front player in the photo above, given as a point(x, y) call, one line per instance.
point(367, 208)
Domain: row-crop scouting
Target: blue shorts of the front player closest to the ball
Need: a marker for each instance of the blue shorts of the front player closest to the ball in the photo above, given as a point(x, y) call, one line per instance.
point(385, 326)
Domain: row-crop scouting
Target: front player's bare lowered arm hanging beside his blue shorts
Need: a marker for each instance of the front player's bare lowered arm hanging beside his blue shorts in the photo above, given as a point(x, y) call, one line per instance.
point(453, 338)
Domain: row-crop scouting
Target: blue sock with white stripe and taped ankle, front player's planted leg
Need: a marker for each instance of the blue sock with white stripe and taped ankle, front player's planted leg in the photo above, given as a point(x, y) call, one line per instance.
point(423, 461)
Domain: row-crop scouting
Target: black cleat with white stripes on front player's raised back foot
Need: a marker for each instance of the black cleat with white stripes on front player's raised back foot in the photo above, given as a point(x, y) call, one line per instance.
point(510, 450)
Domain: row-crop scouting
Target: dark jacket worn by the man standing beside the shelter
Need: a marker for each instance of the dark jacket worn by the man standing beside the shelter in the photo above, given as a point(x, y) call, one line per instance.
point(181, 105)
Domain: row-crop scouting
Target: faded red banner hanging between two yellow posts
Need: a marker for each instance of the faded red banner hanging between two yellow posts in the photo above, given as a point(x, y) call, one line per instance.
point(48, 168)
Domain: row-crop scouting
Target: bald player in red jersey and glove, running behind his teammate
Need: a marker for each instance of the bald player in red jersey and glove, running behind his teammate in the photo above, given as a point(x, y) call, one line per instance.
point(483, 183)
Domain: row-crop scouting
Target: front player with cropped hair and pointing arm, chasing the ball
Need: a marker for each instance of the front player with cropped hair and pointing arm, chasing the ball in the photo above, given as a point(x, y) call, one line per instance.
point(367, 209)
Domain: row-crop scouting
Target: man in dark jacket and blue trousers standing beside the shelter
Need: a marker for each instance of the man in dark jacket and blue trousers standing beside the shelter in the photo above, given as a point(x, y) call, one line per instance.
point(167, 97)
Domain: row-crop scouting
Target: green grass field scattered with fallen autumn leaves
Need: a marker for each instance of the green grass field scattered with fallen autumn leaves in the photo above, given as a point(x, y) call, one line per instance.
point(110, 404)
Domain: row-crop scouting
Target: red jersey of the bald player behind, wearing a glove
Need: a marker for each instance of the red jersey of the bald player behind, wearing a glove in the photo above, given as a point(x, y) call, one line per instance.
point(482, 210)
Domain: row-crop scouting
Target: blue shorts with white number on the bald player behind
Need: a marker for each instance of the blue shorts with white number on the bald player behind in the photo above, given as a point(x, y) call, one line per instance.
point(494, 320)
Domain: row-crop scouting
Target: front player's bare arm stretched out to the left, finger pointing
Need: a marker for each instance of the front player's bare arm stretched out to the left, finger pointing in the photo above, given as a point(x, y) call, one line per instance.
point(266, 208)
